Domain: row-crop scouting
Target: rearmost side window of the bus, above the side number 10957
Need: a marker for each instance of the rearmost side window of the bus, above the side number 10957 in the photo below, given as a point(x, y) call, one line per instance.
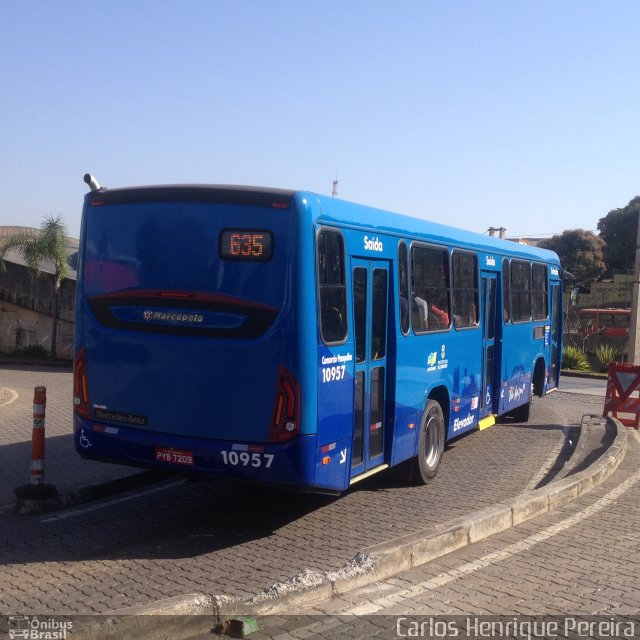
point(332, 290)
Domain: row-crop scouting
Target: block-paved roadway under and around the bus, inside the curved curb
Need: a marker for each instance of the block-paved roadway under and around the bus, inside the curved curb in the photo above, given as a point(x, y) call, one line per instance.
point(217, 538)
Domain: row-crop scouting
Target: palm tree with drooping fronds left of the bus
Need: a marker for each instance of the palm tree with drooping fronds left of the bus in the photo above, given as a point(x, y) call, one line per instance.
point(49, 244)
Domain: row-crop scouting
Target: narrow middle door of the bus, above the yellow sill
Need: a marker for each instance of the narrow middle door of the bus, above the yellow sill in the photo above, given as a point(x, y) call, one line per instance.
point(491, 351)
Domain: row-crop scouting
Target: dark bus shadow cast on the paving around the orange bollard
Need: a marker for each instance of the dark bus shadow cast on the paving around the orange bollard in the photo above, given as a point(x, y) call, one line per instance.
point(174, 518)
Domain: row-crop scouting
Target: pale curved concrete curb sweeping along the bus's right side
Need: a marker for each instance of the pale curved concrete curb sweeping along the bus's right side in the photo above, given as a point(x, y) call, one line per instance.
point(374, 563)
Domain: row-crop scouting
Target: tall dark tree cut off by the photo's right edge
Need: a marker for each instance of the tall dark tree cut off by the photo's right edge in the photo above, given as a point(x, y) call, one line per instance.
point(618, 229)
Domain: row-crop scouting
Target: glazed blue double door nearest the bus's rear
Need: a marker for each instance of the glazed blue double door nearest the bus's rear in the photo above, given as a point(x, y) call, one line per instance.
point(370, 312)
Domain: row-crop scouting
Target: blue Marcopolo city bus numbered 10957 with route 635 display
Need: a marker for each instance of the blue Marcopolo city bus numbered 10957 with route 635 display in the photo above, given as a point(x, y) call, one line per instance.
point(288, 338)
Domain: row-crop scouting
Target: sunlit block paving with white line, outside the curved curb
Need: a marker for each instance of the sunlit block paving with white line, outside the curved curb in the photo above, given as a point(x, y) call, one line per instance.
point(580, 559)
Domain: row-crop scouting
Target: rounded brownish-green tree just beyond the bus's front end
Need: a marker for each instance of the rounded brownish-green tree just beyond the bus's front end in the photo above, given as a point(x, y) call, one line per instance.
point(581, 253)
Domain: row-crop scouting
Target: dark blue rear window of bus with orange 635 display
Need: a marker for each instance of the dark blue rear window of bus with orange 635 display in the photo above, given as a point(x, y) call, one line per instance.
point(186, 247)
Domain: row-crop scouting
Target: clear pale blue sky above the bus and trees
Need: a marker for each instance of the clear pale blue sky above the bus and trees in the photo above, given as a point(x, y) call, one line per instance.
point(514, 113)
